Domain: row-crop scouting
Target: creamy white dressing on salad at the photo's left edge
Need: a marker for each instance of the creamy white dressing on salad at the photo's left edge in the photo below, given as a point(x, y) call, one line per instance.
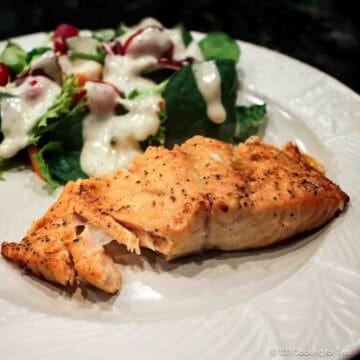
point(20, 114)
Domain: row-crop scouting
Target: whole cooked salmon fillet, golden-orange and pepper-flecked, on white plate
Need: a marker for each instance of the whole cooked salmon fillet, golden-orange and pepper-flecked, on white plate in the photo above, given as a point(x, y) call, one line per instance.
point(203, 194)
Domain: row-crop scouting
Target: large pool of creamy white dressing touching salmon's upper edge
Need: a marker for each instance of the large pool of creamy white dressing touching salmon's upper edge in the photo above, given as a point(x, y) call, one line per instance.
point(111, 141)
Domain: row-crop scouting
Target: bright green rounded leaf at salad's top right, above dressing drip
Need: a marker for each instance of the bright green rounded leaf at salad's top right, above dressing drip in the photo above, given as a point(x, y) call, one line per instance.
point(218, 45)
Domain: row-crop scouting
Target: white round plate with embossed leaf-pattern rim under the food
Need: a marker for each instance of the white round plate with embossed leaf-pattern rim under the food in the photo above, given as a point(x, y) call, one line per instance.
point(296, 298)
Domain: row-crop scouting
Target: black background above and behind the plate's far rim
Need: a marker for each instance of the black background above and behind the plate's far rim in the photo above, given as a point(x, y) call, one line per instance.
point(323, 33)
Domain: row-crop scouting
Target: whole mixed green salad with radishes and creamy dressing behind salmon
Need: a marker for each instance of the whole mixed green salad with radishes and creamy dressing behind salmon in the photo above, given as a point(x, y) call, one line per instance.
point(87, 102)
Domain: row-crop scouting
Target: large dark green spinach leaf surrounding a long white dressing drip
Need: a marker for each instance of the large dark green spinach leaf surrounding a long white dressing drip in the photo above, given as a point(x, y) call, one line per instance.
point(186, 109)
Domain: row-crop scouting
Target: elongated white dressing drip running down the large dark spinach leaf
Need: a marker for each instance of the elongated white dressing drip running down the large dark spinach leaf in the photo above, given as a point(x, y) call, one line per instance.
point(208, 81)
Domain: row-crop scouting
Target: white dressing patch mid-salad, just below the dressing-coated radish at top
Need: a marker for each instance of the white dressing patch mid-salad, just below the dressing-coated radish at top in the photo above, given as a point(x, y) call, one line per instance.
point(124, 72)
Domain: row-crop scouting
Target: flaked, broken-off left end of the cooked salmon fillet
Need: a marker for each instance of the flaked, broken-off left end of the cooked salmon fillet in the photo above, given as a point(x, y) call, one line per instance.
point(54, 249)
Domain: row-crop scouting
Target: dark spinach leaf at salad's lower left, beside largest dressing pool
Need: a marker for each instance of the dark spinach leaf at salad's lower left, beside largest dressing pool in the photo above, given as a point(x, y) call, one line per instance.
point(58, 165)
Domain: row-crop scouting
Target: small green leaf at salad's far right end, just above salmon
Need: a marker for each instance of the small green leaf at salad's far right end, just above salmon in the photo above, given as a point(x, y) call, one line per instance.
point(248, 121)
